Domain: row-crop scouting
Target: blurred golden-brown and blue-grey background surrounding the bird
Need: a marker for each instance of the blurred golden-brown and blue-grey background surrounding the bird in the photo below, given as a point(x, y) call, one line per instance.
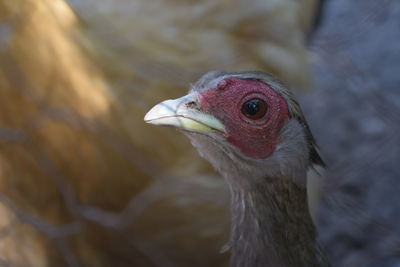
point(84, 182)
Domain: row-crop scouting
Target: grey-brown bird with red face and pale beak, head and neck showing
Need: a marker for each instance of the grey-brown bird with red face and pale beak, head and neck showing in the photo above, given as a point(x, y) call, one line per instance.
point(251, 129)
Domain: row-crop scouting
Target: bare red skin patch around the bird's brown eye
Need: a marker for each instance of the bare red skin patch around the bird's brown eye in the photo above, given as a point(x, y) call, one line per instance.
point(254, 138)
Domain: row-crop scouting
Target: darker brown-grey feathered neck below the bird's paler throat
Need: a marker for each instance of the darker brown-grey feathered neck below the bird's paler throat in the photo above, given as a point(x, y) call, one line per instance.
point(271, 225)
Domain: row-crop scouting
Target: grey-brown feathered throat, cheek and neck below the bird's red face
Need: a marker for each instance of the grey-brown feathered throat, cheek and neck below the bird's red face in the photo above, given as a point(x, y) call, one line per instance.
point(271, 223)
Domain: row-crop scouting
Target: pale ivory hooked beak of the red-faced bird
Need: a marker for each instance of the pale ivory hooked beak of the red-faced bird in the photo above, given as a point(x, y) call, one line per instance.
point(180, 113)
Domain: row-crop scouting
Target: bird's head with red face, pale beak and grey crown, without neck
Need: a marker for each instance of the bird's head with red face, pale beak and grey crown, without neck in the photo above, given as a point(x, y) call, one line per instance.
point(241, 119)
